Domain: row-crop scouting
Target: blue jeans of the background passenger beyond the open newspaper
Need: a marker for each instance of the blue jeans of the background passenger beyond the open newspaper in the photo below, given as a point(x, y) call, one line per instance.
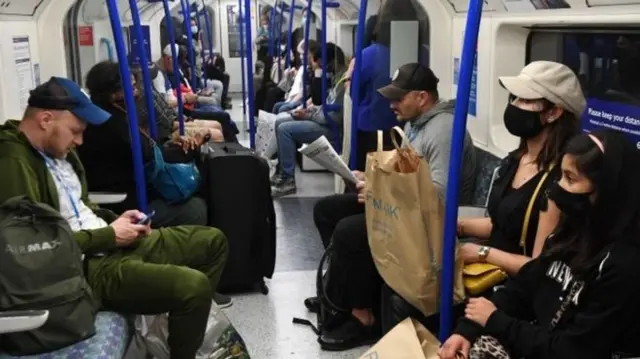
point(292, 133)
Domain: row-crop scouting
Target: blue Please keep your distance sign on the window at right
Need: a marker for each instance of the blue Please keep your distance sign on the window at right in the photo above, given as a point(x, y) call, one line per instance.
point(612, 115)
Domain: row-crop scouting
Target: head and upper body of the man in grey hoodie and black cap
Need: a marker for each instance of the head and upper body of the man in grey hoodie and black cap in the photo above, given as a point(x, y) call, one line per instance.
point(414, 98)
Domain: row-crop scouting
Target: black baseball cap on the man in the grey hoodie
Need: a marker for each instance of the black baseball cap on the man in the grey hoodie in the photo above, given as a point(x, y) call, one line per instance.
point(410, 77)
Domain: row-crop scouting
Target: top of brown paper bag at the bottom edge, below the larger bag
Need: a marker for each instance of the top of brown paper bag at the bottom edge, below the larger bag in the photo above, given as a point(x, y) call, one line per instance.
point(407, 340)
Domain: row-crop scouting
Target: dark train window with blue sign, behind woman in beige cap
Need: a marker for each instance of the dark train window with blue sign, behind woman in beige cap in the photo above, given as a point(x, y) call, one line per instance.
point(606, 64)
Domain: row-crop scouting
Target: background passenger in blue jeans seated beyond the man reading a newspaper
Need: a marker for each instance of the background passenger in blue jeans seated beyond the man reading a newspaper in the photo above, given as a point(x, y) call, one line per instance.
point(305, 125)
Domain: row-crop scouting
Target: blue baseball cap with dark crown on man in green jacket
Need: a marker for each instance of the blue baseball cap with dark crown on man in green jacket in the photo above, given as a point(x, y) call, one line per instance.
point(63, 94)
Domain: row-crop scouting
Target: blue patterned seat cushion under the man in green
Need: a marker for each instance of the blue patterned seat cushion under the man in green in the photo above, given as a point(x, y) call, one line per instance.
point(113, 333)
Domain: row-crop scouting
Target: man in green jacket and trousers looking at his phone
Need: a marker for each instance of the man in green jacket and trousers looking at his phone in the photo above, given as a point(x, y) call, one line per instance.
point(131, 268)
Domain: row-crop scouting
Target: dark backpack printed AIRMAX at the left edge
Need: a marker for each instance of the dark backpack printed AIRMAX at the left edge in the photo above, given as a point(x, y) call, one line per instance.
point(42, 269)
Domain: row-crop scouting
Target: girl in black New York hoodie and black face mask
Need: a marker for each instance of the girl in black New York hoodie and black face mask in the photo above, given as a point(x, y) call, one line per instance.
point(579, 299)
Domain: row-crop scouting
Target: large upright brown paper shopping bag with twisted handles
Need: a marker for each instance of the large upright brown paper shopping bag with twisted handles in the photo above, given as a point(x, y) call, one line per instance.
point(405, 218)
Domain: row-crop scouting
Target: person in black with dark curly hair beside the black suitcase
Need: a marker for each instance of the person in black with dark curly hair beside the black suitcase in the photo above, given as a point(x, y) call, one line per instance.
point(106, 153)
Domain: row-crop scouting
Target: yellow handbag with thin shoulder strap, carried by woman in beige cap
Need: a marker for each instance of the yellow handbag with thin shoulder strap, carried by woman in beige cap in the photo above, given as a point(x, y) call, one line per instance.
point(480, 277)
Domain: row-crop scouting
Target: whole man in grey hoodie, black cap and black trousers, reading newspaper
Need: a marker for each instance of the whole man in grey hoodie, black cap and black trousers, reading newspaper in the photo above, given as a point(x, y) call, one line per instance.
point(355, 282)
